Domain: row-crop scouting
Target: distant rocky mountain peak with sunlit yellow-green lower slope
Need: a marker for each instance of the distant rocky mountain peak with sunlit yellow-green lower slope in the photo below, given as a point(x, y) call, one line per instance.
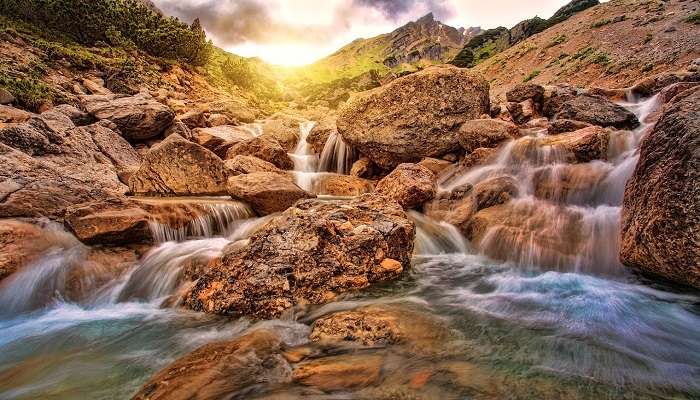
point(418, 43)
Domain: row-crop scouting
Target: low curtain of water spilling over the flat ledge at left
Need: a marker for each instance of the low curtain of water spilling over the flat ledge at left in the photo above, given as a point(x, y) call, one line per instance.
point(218, 219)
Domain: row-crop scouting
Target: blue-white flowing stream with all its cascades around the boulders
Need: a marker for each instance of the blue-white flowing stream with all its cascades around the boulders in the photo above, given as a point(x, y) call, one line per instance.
point(574, 321)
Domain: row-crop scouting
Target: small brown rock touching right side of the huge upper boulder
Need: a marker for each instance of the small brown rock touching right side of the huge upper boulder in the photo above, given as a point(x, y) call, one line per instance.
point(485, 133)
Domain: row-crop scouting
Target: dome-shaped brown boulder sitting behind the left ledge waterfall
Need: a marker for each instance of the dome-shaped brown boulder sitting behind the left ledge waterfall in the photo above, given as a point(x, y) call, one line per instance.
point(179, 167)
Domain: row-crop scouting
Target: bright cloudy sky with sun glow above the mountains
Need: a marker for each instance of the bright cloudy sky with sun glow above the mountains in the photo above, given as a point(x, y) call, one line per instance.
point(298, 32)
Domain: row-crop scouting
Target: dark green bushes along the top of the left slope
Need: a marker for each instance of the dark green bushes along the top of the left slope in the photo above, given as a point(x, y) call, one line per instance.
point(118, 22)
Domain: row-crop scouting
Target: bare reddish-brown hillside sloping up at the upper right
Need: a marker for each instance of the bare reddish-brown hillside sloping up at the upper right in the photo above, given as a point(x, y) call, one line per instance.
point(609, 45)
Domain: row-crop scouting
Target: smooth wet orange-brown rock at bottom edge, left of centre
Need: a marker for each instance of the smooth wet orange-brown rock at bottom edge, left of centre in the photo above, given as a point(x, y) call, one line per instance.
point(221, 370)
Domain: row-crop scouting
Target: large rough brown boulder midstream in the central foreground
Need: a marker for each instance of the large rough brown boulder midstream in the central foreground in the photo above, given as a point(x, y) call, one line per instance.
point(308, 254)
